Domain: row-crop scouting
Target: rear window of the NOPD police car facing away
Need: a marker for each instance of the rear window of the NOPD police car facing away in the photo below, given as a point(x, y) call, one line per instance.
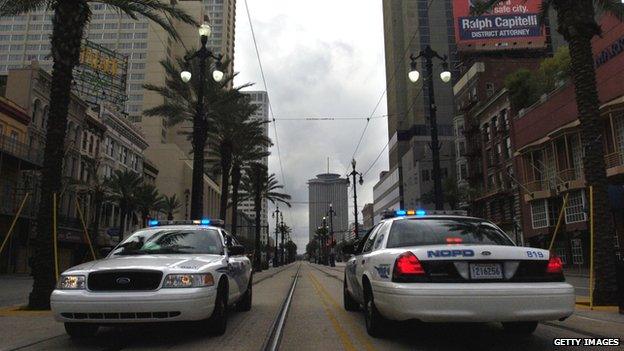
point(437, 231)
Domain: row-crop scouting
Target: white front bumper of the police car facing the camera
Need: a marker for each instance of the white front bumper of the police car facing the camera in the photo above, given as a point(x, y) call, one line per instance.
point(163, 305)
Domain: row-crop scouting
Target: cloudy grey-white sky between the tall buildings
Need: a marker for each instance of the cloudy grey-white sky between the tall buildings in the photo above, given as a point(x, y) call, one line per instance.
point(321, 58)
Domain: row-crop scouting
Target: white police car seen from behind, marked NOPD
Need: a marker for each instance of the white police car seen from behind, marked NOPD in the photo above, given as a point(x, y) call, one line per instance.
point(452, 268)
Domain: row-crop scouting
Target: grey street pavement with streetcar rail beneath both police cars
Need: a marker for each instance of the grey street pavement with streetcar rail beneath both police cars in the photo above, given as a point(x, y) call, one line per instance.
point(316, 320)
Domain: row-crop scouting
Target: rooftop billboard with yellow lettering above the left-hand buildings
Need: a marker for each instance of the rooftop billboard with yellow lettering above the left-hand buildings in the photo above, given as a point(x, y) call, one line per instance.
point(101, 75)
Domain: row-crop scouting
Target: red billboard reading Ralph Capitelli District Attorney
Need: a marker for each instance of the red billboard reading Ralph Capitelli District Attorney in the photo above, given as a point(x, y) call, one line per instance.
point(511, 24)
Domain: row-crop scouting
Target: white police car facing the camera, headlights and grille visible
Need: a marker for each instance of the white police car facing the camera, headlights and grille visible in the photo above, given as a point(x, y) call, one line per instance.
point(170, 271)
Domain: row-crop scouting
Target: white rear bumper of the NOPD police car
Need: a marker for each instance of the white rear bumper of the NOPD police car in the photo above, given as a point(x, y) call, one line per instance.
point(478, 302)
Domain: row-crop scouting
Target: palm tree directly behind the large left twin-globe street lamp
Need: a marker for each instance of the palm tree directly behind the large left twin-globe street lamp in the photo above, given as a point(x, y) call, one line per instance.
point(180, 106)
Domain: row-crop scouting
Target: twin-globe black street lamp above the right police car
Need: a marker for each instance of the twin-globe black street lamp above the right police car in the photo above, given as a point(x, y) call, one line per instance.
point(428, 54)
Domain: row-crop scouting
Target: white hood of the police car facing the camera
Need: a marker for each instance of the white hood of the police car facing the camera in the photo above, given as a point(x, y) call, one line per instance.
point(158, 262)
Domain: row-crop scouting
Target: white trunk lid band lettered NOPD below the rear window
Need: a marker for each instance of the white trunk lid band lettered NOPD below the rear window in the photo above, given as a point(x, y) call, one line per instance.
point(474, 252)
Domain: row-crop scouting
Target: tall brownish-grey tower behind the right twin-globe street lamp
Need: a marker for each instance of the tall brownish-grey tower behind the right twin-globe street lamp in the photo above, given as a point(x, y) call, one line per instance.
point(409, 26)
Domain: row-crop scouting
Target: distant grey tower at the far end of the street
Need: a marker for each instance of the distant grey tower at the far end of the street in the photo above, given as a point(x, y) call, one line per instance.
point(326, 189)
